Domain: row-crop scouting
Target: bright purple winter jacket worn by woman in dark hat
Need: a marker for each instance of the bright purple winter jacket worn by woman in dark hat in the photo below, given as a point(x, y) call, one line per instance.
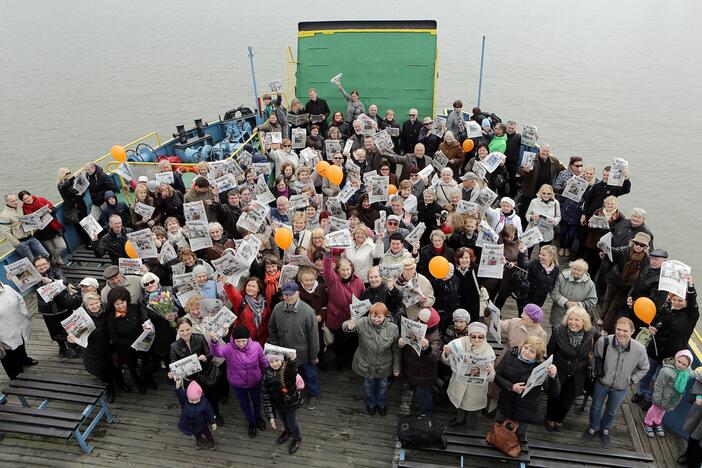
point(245, 366)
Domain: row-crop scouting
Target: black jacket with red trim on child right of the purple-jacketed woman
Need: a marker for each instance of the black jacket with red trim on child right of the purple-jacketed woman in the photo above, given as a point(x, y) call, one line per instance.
point(284, 395)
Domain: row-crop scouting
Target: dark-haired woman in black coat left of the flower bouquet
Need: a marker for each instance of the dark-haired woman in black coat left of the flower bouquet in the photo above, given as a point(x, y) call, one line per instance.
point(125, 323)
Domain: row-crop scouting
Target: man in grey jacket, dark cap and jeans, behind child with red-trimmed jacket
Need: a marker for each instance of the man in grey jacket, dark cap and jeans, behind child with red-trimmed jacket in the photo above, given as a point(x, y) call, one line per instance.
point(293, 325)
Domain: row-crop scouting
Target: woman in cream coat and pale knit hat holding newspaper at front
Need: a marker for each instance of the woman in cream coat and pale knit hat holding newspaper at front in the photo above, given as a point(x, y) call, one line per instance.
point(468, 388)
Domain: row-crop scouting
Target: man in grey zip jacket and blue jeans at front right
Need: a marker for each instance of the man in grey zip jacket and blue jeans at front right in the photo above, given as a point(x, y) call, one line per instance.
point(625, 363)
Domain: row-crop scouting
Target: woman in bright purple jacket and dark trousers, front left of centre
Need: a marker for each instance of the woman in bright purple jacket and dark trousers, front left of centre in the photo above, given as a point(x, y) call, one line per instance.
point(245, 365)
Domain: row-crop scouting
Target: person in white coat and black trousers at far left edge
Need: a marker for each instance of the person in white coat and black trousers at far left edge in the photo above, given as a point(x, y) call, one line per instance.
point(14, 332)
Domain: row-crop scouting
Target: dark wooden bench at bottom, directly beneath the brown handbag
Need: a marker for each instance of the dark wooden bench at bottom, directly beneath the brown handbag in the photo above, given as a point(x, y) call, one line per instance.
point(467, 444)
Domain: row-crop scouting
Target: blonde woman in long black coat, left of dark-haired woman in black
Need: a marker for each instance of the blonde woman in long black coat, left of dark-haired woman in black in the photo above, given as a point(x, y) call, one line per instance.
point(97, 356)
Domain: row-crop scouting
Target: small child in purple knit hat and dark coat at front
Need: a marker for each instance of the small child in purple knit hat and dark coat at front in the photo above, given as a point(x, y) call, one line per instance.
point(196, 413)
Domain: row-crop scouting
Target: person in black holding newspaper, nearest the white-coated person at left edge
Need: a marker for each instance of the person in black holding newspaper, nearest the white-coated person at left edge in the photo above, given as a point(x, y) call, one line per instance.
point(59, 308)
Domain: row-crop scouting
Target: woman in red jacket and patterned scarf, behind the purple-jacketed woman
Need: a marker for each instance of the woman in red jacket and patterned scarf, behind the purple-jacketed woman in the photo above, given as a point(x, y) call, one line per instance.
point(251, 308)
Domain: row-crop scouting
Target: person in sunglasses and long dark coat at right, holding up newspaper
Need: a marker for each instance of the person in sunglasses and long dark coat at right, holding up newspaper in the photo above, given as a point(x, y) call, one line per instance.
point(628, 264)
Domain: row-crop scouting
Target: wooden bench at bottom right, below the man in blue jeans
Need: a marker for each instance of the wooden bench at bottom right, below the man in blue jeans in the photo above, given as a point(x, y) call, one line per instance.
point(555, 455)
